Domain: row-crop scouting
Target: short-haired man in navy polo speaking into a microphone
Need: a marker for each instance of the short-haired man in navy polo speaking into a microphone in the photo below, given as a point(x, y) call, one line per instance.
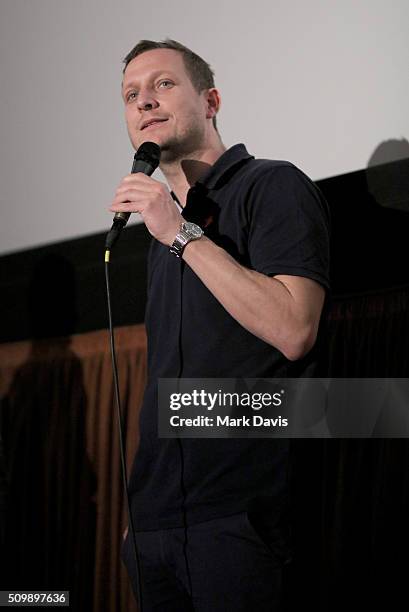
point(242, 299)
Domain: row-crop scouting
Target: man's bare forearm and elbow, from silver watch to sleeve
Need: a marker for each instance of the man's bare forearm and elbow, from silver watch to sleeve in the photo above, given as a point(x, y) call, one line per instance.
point(281, 310)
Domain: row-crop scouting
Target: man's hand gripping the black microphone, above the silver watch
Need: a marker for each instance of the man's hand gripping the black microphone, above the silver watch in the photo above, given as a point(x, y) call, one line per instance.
point(143, 194)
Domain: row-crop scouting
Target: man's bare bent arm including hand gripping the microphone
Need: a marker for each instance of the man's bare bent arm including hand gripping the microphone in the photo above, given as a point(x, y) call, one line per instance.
point(282, 310)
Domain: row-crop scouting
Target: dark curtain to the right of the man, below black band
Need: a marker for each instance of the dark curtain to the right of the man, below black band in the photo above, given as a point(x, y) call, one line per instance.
point(350, 497)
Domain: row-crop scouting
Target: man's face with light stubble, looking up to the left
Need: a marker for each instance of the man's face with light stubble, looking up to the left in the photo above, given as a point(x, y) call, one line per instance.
point(156, 85)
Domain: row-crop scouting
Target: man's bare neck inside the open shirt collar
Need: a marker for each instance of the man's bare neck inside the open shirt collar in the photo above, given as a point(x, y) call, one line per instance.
point(184, 173)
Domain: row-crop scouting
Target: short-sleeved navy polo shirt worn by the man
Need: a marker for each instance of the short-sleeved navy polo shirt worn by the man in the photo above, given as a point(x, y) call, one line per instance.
point(271, 218)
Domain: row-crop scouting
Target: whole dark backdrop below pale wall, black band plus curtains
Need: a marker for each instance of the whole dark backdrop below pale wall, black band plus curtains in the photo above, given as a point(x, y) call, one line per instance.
point(61, 498)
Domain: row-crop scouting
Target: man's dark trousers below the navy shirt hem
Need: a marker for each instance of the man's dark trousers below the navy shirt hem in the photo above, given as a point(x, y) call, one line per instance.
point(229, 564)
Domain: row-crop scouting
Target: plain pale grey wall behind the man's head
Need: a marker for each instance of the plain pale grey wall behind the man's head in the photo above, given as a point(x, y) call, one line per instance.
point(319, 82)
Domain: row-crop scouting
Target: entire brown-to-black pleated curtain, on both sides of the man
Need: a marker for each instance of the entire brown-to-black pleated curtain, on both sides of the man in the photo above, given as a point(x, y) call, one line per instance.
point(62, 495)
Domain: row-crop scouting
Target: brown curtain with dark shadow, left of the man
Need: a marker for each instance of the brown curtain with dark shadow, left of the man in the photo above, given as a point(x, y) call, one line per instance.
point(64, 496)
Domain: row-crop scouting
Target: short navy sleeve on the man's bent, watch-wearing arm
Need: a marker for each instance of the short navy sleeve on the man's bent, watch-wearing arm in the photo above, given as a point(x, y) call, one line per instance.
point(289, 226)
